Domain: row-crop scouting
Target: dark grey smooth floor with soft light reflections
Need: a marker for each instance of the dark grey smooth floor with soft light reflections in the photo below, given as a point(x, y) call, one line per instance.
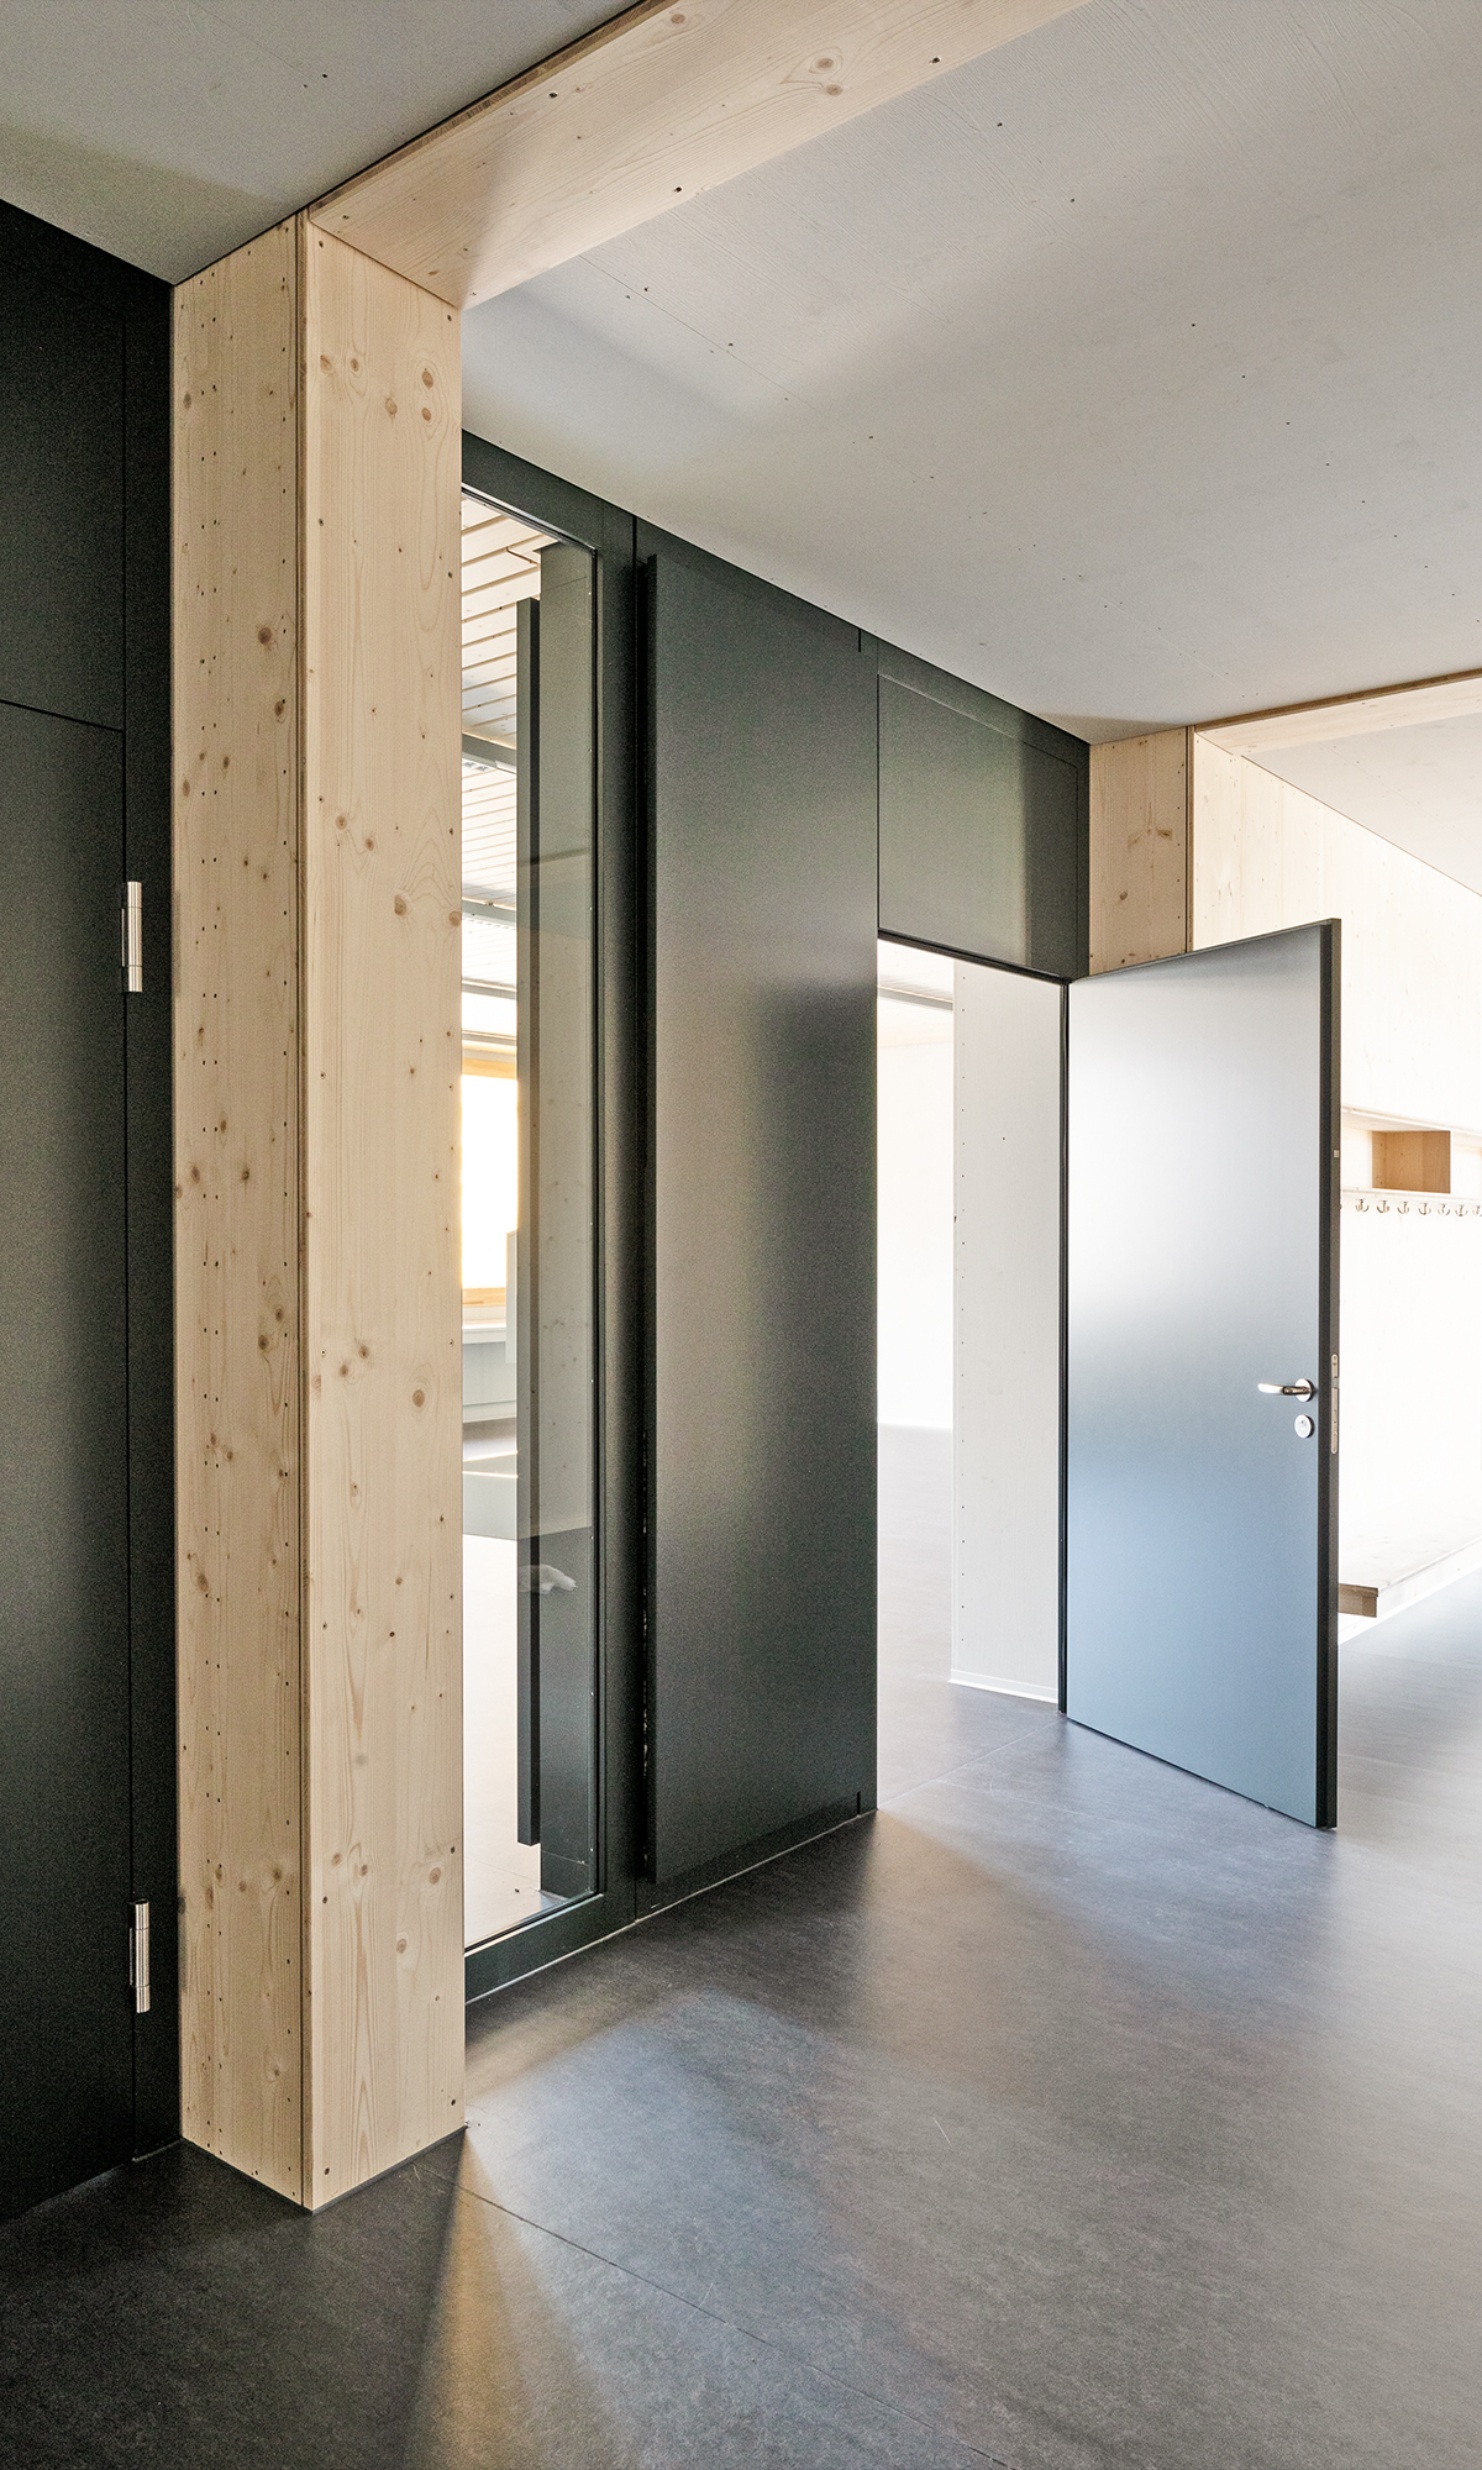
point(1071, 2113)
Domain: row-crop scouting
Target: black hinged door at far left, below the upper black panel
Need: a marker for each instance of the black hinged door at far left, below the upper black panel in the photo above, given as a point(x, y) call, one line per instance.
point(65, 2017)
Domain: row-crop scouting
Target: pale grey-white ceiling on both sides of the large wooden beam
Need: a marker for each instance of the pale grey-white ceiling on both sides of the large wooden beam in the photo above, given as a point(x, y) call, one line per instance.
point(1132, 372)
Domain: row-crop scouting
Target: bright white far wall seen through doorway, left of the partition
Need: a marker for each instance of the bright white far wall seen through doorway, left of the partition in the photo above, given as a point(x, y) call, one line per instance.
point(915, 1214)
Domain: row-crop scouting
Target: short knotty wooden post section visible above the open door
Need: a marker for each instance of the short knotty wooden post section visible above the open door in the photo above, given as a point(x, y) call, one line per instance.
point(1140, 848)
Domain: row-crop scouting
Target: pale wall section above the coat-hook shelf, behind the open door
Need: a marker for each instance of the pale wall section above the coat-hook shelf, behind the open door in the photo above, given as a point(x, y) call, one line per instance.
point(1271, 856)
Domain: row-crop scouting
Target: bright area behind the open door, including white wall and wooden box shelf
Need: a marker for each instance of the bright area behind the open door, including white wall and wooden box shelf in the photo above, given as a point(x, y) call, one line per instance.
point(1379, 826)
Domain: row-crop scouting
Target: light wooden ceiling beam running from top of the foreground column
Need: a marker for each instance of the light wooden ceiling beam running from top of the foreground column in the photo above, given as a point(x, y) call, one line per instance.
point(653, 110)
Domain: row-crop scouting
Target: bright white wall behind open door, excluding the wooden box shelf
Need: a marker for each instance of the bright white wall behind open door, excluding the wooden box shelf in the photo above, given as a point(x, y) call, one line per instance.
point(1412, 1281)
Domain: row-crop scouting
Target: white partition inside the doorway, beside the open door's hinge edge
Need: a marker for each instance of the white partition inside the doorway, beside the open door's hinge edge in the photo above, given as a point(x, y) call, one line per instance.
point(1007, 1335)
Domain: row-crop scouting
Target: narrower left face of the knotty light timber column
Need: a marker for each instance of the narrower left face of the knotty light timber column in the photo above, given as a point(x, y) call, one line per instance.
point(238, 1204)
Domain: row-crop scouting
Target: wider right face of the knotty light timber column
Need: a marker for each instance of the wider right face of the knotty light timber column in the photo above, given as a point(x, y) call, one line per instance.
point(382, 1278)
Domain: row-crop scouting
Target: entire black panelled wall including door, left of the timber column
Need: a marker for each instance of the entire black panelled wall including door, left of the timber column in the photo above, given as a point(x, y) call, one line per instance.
point(85, 638)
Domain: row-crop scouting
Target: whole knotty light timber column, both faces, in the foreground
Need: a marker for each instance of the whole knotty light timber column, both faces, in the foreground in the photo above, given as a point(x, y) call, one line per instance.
point(317, 1058)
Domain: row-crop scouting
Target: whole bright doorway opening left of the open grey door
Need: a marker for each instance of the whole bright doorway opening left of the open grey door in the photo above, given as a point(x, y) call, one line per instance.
point(969, 1347)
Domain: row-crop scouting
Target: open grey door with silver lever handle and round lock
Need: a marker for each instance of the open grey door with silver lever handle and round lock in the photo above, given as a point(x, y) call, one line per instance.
point(1202, 1365)
